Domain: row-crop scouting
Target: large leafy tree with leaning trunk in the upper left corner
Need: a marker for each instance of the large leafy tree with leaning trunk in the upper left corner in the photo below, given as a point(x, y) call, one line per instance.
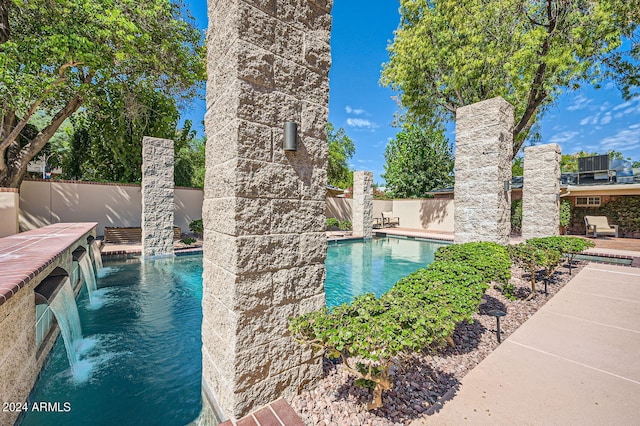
point(64, 56)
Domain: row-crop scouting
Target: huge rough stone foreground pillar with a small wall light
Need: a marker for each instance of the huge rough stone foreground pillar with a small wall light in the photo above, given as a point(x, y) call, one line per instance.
point(264, 208)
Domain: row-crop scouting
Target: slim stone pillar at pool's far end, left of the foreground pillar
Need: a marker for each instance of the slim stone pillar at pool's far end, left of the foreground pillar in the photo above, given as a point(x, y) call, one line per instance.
point(157, 197)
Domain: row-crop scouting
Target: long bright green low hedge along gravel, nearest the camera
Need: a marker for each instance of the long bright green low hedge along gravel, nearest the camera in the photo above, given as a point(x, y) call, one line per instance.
point(420, 311)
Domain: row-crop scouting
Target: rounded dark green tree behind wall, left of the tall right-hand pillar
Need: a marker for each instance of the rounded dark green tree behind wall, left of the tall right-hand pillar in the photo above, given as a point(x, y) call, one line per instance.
point(418, 160)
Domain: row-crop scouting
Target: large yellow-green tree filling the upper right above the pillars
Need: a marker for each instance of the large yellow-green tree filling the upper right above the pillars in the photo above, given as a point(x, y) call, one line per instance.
point(451, 53)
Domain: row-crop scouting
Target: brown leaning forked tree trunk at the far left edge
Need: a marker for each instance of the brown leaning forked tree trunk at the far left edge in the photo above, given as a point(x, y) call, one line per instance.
point(14, 162)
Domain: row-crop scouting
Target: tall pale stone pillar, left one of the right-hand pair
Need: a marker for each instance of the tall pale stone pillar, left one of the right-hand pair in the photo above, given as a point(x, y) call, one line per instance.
point(484, 146)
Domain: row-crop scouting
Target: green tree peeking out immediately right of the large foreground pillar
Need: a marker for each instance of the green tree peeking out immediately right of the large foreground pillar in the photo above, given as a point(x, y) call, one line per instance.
point(341, 149)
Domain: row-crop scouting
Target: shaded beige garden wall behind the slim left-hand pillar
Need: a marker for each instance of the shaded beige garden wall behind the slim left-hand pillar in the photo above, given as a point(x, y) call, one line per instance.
point(46, 202)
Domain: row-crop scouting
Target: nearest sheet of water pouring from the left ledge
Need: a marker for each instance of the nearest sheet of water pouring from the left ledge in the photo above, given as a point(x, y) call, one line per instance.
point(65, 310)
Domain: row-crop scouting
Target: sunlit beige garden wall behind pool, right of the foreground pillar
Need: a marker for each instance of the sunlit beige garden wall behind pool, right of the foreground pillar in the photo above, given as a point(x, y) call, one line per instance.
point(433, 213)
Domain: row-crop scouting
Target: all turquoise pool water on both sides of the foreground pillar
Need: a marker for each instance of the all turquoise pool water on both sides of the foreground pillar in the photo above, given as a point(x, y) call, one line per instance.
point(141, 352)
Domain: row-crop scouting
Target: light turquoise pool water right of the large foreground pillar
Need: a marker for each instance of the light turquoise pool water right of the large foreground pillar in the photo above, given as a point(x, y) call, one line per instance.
point(372, 266)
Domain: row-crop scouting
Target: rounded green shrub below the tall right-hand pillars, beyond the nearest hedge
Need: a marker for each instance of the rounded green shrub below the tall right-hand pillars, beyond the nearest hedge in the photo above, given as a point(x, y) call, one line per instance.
point(490, 259)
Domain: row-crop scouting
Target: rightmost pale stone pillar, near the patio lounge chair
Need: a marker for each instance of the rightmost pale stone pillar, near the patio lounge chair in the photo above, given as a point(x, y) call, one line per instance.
point(541, 187)
